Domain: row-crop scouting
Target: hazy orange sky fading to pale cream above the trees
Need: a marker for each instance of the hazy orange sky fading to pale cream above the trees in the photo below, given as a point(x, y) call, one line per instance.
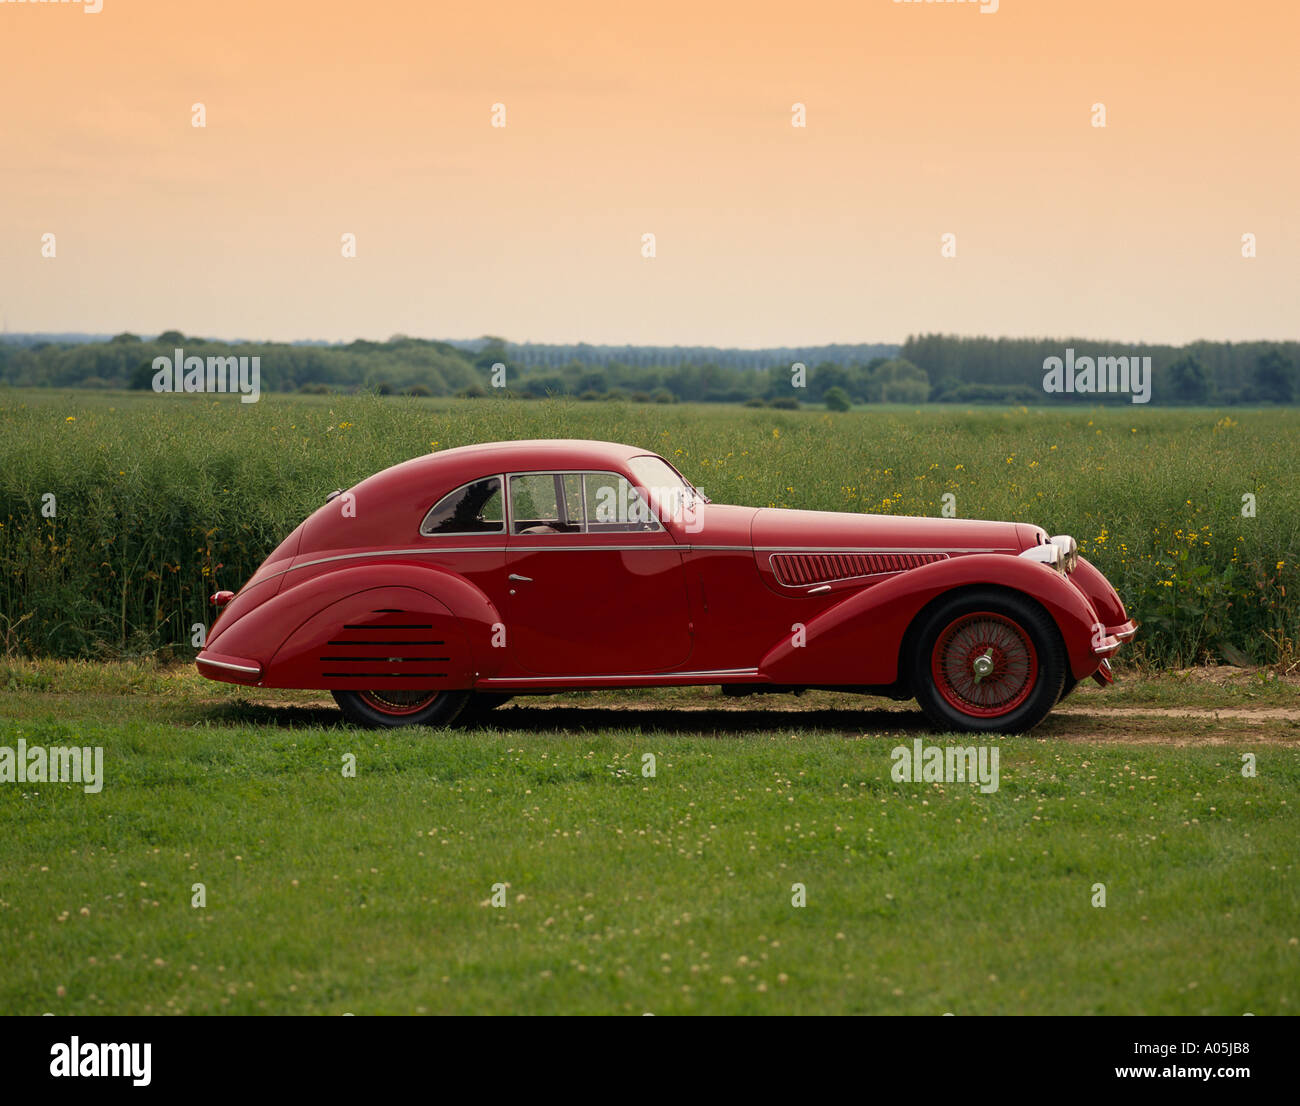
point(671, 119)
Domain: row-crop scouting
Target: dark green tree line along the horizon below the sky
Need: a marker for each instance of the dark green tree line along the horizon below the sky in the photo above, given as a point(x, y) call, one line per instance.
point(930, 368)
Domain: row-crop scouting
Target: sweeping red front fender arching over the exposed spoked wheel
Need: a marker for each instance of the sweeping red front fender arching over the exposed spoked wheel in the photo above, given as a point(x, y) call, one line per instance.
point(857, 641)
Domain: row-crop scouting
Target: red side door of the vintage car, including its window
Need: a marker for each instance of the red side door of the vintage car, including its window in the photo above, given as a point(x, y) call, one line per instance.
point(596, 583)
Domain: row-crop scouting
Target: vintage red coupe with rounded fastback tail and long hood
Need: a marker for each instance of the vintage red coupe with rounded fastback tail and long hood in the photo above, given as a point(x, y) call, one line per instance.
point(462, 579)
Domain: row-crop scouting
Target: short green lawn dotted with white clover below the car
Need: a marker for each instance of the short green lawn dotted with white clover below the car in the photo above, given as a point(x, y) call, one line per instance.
point(328, 895)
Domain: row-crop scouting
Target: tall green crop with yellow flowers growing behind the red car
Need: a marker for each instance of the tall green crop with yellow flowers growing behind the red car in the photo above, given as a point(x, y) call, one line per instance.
point(158, 497)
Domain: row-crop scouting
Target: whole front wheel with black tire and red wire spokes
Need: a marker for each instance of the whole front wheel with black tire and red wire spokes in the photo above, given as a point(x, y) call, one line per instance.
point(1008, 632)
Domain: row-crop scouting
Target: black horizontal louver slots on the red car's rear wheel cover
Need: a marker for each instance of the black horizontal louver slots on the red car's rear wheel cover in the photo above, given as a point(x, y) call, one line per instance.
point(391, 645)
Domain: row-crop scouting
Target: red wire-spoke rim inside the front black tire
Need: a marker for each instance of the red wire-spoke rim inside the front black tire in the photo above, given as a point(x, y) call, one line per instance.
point(985, 665)
